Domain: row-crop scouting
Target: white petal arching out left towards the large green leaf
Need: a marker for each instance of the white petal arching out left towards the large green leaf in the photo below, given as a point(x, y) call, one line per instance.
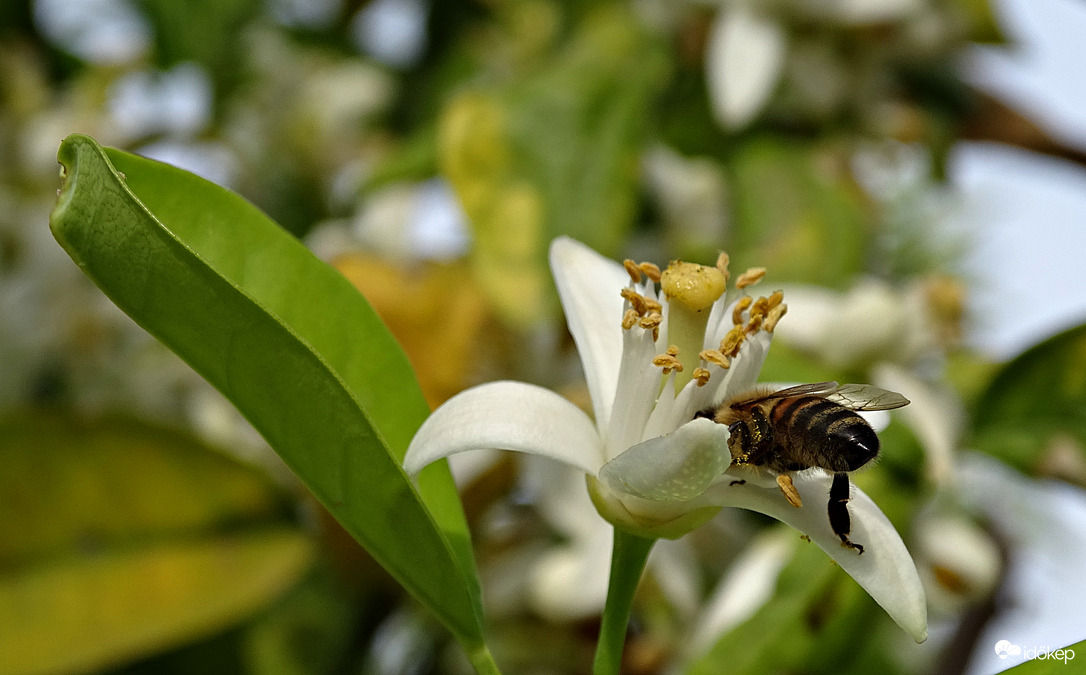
point(508, 416)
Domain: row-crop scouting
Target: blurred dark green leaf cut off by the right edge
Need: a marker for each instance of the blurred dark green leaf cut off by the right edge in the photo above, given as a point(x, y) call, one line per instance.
point(1037, 405)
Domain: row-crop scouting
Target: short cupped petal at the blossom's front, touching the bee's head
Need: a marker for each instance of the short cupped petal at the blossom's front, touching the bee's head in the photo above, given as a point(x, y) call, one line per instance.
point(674, 468)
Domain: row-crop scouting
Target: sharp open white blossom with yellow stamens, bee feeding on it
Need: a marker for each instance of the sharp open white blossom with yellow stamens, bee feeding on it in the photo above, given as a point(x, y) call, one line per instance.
point(652, 362)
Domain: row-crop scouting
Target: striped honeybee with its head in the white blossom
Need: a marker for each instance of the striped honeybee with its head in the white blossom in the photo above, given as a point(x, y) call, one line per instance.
point(803, 427)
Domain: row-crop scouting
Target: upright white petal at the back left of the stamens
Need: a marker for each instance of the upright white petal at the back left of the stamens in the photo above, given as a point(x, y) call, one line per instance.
point(589, 287)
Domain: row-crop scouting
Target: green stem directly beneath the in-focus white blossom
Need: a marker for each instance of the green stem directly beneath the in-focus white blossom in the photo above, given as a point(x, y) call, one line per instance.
point(629, 556)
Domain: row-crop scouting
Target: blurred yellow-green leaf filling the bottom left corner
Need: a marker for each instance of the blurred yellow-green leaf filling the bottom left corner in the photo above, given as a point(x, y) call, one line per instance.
point(121, 540)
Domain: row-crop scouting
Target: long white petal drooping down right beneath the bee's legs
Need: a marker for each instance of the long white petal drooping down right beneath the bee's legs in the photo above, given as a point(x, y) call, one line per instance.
point(886, 570)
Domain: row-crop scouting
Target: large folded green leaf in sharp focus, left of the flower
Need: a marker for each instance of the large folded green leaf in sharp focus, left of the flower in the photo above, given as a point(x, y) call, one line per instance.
point(289, 341)
